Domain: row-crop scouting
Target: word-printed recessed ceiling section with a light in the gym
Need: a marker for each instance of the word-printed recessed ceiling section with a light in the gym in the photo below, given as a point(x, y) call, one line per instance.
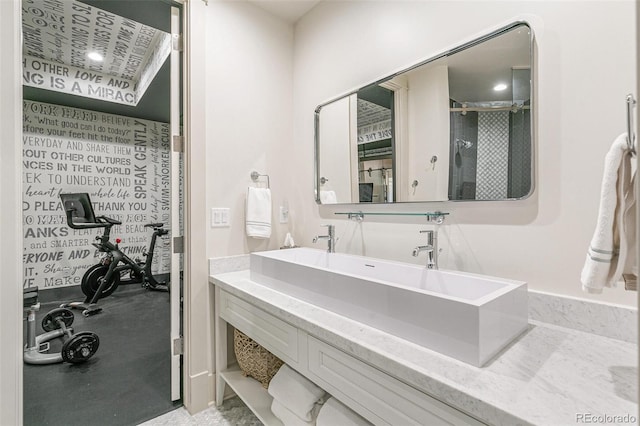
point(57, 36)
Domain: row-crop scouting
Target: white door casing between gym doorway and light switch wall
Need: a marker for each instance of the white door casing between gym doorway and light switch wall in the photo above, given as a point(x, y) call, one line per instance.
point(197, 361)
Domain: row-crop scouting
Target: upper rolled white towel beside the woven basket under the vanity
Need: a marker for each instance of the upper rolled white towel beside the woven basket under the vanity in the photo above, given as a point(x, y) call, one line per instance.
point(297, 393)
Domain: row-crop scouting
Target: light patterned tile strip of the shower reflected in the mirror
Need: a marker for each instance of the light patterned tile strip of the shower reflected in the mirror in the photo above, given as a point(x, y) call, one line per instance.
point(493, 155)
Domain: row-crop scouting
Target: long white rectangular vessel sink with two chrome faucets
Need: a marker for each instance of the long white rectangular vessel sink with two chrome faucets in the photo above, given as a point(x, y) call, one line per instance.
point(465, 316)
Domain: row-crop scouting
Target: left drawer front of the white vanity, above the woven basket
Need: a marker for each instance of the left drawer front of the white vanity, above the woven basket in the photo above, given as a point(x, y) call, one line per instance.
point(277, 336)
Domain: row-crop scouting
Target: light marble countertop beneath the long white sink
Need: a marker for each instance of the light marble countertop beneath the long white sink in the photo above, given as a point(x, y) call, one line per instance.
point(550, 375)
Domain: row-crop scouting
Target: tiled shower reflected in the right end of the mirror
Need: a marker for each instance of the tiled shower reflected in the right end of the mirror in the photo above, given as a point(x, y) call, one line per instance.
point(490, 143)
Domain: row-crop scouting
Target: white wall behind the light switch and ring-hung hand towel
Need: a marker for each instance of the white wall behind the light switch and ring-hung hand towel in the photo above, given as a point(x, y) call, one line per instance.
point(249, 118)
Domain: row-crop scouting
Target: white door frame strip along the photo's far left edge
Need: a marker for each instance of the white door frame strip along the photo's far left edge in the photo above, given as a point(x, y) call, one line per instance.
point(11, 212)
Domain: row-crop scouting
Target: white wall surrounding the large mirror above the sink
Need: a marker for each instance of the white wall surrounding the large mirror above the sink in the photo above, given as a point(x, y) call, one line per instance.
point(585, 66)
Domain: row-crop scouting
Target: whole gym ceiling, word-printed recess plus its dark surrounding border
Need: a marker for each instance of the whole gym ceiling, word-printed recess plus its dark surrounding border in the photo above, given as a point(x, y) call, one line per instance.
point(149, 16)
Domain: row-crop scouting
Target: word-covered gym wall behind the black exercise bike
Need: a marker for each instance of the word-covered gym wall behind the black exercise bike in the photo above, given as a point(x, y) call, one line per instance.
point(124, 165)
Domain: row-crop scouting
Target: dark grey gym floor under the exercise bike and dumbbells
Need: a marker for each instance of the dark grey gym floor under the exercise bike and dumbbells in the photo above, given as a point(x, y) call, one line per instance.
point(125, 383)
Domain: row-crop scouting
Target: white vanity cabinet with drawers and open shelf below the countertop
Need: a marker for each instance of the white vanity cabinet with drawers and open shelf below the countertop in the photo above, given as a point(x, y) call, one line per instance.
point(368, 390)
